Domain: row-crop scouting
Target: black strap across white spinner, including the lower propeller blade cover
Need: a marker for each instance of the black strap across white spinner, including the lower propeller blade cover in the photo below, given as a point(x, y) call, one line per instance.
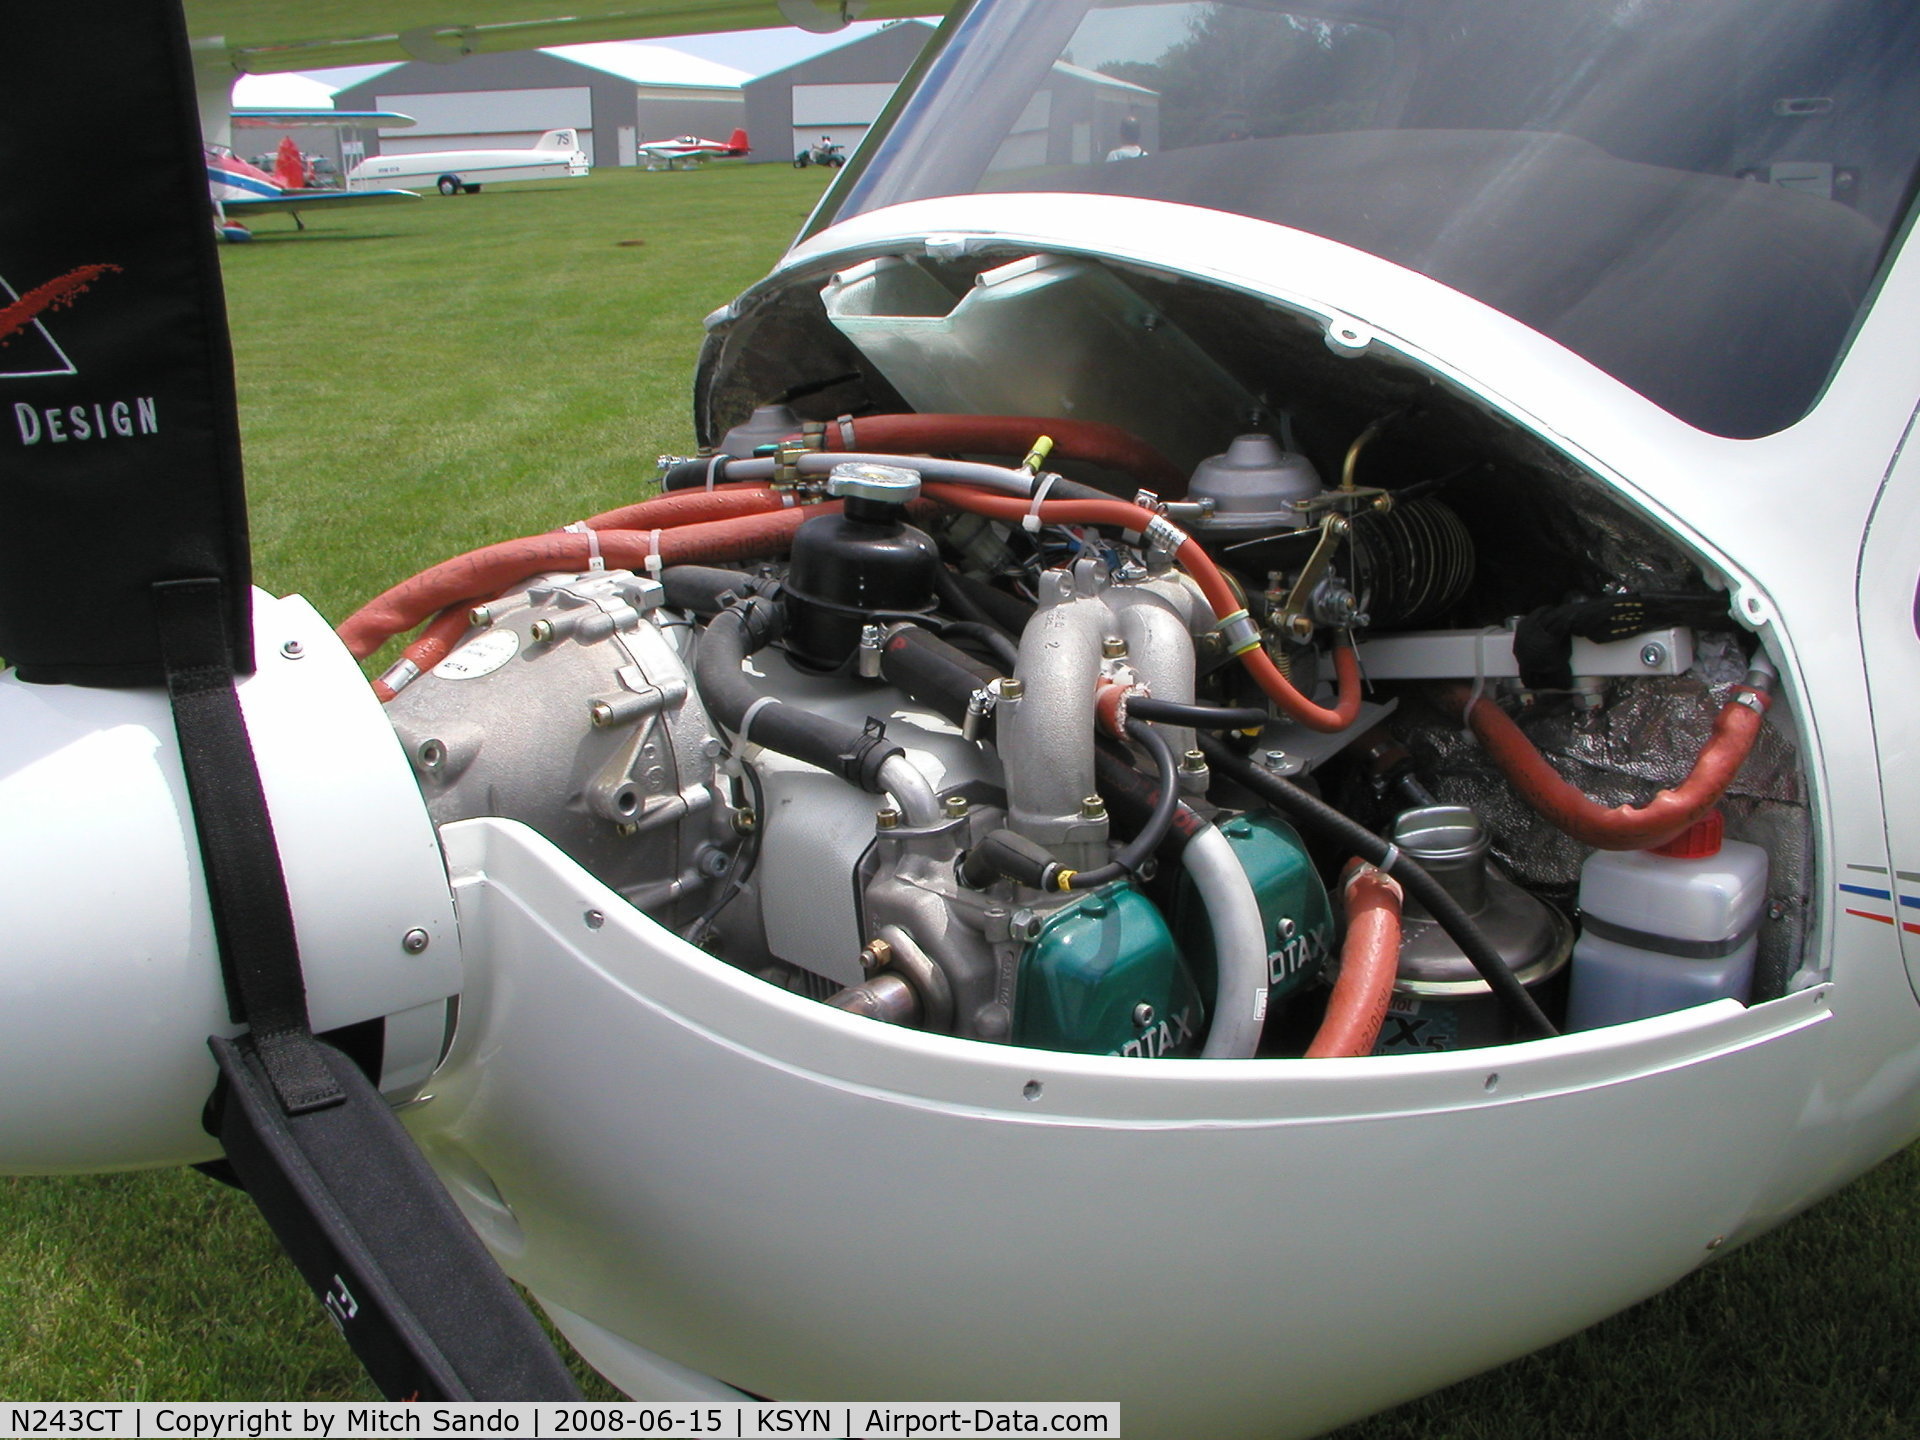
point(335, 1174)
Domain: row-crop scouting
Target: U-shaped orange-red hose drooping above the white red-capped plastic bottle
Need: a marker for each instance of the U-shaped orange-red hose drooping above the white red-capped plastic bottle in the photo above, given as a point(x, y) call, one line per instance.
point(1621, 828)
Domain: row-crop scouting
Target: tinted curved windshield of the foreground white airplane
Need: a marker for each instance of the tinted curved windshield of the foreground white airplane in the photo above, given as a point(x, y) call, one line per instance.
point(1694, 195)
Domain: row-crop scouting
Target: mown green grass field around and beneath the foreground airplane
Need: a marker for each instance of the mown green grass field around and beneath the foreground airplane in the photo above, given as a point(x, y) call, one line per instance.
point(431, 377)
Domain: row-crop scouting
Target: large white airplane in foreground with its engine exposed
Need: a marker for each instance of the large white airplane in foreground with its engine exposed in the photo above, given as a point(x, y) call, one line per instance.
point(926, 980)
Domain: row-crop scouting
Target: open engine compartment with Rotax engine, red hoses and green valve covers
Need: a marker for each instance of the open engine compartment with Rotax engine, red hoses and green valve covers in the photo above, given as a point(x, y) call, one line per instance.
point(1280, 702)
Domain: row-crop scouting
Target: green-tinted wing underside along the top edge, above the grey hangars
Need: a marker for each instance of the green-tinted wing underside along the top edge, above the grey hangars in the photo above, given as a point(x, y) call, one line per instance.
point(279, 36)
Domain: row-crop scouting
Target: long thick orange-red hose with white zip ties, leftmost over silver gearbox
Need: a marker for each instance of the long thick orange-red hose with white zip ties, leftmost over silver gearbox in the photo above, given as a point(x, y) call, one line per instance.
point(492, 569)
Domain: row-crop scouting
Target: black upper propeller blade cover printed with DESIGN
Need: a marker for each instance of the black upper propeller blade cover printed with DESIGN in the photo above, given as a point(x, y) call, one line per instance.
point(120, 444)
